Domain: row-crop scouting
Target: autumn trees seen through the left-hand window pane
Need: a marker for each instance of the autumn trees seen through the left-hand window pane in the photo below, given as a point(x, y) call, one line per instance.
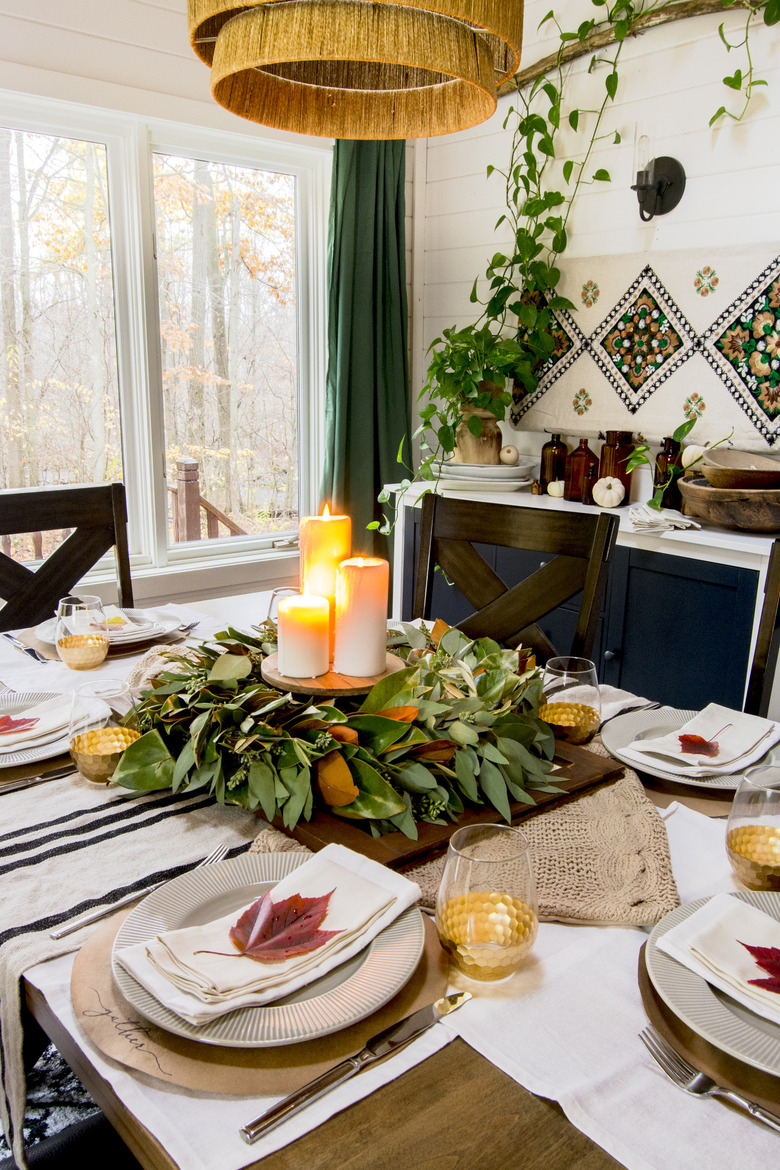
point(59, 394)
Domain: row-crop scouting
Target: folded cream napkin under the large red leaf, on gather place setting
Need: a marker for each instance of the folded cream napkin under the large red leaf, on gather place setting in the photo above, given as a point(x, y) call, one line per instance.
point(202, 987)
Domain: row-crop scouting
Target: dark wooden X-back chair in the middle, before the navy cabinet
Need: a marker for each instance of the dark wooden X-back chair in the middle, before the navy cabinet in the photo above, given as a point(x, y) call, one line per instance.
point(582, 548)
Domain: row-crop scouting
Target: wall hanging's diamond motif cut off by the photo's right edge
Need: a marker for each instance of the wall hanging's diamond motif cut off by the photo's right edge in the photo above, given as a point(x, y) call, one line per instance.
point(743, 346)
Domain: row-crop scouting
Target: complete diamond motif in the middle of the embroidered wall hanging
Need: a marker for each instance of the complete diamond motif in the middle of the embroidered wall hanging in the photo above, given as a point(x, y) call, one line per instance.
point(644, 341)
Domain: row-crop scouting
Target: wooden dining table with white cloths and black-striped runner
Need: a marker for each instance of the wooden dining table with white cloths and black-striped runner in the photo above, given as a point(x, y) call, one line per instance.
point(543, 1070)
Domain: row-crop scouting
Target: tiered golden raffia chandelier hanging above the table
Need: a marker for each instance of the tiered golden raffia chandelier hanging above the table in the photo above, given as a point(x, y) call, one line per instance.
point(358, 68)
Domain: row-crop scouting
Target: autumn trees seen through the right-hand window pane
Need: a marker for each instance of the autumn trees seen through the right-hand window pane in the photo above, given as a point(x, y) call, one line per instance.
point(226, 266)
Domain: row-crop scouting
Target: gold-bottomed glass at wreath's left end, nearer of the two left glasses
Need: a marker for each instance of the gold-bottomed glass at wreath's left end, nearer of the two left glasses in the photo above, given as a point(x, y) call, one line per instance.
point(102, 726)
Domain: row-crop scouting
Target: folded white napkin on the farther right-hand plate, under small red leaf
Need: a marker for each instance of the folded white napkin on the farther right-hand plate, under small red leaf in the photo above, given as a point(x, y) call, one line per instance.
point(742, 741)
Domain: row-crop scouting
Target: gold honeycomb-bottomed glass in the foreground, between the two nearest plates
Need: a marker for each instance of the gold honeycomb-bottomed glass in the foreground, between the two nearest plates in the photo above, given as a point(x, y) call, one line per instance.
point(487, 913)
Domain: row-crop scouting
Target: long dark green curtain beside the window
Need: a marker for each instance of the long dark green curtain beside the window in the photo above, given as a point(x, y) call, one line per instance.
point(368, 400)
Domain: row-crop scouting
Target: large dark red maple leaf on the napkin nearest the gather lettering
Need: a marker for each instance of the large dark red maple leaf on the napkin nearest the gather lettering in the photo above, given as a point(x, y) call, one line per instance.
point(272, 932)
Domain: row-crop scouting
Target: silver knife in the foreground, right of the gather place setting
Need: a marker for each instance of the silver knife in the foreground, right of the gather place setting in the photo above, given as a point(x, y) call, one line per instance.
point(392, 1040)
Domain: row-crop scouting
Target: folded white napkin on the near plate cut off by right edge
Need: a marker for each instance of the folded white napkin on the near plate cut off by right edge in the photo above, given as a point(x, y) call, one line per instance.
point(710, 944)
